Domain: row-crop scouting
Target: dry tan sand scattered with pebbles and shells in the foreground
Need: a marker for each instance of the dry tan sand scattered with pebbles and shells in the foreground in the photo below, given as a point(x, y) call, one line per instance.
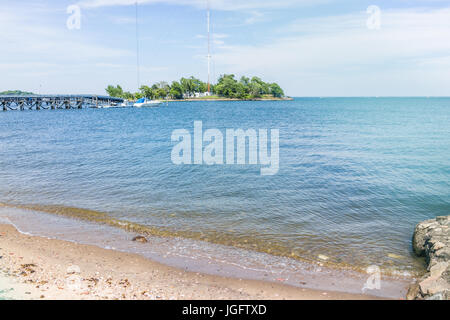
point(39, 268)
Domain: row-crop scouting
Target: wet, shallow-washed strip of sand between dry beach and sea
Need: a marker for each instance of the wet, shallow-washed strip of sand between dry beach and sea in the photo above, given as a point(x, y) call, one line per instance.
point(199, 256)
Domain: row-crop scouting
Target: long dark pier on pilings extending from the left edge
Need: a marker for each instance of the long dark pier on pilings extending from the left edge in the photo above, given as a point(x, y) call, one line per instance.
point(53, 102)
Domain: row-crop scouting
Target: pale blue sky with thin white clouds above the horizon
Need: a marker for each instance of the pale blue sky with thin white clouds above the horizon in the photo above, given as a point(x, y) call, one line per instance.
point(310, 47)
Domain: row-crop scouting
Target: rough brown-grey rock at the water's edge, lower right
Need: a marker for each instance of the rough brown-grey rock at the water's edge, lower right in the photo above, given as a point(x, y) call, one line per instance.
point(432, 240)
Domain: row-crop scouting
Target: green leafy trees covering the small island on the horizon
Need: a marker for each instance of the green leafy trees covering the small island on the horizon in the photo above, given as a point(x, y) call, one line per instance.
point(227, 87)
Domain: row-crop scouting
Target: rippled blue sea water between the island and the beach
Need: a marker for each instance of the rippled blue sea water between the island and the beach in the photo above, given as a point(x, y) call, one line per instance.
point(356, 175)
